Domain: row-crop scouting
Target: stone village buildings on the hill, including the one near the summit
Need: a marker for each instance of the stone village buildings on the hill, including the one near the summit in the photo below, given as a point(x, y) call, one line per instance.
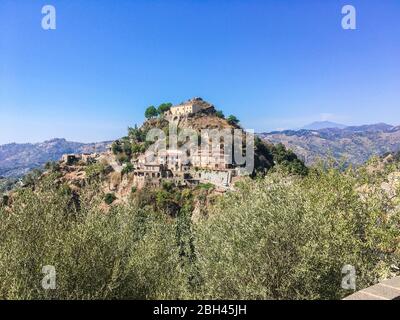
point(208, 164)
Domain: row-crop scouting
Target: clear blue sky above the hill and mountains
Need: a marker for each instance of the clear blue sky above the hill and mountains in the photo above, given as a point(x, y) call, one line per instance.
point(274, 64)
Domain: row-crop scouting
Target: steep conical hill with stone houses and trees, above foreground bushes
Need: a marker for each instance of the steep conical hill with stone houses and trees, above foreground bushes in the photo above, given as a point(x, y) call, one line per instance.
point(131, 164)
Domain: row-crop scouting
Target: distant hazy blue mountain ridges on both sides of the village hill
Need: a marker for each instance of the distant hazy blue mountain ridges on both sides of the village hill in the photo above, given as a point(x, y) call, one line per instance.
point(354, 143)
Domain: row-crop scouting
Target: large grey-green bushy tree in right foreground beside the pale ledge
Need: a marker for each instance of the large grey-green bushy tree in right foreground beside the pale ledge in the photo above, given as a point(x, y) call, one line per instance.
point(288, 238)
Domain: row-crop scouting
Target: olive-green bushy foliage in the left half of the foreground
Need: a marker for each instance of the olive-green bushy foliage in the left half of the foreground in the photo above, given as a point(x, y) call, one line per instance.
point(127, 254)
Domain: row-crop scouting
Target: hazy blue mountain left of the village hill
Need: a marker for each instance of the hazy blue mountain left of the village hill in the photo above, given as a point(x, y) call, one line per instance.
point(17, 159)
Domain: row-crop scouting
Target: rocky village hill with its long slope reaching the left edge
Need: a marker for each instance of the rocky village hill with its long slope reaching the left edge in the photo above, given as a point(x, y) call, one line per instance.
point(180, 160)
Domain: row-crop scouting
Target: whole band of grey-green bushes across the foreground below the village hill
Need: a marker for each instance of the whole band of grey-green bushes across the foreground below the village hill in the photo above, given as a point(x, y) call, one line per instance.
point(282, 236)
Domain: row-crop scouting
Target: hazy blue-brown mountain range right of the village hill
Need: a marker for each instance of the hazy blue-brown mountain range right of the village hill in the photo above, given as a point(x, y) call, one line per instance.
point(356, 144)
